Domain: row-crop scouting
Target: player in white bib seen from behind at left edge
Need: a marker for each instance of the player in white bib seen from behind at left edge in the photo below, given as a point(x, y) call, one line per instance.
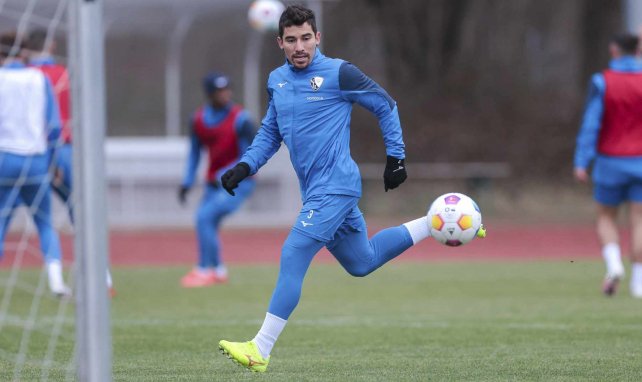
point(29, 130)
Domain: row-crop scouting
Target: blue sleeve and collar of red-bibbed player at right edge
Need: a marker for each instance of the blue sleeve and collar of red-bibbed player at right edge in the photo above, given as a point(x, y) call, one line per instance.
point(587, 138)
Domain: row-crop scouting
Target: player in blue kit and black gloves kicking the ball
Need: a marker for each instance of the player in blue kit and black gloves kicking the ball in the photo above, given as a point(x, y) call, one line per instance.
point(310, 101)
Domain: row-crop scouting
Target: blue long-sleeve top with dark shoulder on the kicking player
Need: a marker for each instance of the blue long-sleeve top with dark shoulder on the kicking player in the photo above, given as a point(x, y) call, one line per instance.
point(309, 110)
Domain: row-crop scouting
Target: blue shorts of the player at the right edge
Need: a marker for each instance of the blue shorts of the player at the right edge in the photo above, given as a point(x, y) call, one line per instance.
point(617, 180)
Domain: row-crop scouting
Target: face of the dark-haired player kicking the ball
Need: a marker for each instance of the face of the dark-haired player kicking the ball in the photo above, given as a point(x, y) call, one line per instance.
point(299, 43)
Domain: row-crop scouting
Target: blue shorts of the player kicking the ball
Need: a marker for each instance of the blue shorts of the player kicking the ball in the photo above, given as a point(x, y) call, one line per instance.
point(325, 217)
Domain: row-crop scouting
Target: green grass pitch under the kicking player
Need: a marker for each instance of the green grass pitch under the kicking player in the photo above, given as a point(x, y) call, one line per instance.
point(476, 321)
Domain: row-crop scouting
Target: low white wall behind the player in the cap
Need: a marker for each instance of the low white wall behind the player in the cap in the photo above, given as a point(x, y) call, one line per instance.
point(144, 174)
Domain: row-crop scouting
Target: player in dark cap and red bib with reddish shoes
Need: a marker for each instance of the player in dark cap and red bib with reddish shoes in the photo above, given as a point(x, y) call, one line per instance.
point(225, 130)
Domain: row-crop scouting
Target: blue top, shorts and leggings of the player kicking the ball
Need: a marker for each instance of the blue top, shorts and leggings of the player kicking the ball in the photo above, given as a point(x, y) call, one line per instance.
point(309, 110)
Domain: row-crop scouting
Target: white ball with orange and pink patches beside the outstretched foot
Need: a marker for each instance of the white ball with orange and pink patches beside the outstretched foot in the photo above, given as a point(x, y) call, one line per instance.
point(454, 219)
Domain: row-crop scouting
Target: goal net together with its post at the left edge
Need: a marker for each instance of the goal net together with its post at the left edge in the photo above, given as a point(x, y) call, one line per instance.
point(51, 328)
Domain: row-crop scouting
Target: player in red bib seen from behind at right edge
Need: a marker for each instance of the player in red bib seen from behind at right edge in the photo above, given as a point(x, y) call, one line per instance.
point(610, 138)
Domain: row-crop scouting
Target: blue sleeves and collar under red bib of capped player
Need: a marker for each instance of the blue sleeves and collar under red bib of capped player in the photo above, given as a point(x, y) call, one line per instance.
point(244, 127)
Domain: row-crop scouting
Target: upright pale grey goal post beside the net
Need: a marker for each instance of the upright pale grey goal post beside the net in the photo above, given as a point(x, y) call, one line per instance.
point(93, 332)
